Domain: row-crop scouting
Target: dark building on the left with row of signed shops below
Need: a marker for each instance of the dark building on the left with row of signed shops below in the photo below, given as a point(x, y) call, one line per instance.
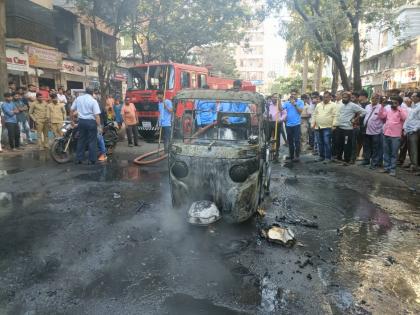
point(50, 44)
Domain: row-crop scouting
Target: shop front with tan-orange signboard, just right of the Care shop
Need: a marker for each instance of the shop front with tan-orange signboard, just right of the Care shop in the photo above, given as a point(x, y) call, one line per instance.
point(45, 65)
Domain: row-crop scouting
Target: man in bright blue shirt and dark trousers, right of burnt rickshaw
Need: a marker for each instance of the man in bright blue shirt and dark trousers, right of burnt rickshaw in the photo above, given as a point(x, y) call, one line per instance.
point(294, 108)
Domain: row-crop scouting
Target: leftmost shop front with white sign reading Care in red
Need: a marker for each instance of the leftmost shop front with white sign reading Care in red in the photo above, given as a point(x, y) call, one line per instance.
point(17, 66)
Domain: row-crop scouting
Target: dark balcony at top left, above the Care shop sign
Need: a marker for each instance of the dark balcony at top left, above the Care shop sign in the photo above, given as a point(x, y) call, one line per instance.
point(29, 21)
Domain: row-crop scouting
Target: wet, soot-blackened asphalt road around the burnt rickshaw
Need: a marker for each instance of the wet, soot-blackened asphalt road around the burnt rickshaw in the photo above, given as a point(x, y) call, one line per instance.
point(105, 240)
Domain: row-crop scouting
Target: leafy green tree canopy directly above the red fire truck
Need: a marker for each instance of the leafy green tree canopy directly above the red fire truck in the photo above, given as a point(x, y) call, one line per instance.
point(170, 29)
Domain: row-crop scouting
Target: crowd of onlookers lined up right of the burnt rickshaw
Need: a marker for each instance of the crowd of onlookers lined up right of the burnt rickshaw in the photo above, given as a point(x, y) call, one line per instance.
point(376, 130)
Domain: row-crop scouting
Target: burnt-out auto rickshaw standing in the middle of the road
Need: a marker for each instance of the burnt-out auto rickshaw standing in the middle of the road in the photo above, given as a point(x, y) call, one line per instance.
point(221, 165)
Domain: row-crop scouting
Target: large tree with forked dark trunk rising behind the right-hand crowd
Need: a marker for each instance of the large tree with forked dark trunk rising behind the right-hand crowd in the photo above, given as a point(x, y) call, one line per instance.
point(333, 22)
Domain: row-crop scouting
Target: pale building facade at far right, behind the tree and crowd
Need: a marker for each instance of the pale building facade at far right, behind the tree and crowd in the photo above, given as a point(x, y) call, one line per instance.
point(393, 62)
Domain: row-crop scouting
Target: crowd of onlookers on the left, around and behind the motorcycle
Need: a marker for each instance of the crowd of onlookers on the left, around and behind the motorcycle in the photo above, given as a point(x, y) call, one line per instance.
point(31, 115)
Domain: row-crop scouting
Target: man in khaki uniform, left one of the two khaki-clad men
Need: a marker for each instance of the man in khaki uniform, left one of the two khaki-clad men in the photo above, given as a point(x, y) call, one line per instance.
point(38, 111)
